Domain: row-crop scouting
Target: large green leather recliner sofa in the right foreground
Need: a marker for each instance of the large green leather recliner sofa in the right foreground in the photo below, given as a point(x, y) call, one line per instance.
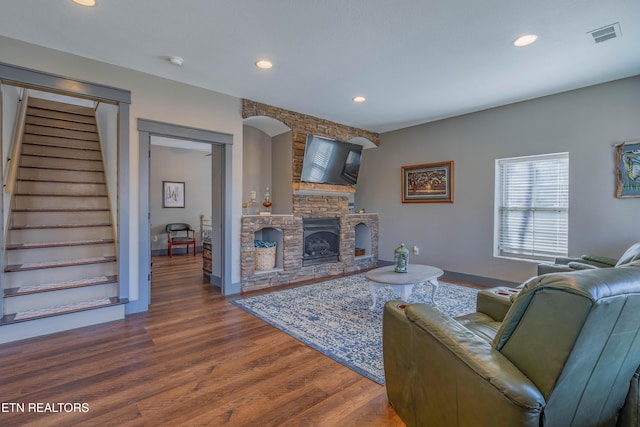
point(565, 354)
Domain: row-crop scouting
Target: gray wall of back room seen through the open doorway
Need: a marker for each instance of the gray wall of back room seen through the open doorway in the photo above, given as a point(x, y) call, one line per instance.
point(176, 164)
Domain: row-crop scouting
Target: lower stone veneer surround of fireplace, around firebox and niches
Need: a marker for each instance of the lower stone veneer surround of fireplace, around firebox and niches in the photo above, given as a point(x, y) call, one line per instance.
point(291, 243)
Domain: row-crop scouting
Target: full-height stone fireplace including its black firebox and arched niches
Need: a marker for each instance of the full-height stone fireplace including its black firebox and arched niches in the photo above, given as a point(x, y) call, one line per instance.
point(319, 238)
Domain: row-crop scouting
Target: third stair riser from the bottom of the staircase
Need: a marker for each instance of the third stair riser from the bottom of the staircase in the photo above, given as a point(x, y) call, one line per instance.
point(60, 274)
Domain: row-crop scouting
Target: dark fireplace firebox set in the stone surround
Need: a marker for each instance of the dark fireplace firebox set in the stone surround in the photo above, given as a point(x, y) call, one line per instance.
point(321, 240)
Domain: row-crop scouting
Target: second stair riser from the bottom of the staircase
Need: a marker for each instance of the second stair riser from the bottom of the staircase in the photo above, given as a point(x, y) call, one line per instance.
point(60, 297)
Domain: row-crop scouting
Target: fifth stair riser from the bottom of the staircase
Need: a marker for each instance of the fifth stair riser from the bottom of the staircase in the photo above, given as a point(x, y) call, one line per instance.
point(59, 235)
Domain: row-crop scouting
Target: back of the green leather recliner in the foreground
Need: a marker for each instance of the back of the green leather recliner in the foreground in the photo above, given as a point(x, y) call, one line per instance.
point(577, 337)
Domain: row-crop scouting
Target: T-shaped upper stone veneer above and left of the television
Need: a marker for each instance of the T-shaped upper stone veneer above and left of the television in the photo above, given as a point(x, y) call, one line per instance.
point(301, 125)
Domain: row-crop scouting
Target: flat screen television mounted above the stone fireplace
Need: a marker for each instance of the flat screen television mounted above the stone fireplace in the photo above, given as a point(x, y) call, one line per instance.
point(327, 161)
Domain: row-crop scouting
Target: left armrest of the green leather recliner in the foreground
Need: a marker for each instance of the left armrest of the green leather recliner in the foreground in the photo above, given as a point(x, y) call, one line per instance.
point(437, 370)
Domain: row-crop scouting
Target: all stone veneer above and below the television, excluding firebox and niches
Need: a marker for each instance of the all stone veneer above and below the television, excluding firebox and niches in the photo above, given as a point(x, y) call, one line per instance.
point(289, 268)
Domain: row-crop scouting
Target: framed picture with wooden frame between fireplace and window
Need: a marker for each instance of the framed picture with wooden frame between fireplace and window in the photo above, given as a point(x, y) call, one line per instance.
point(428, 183)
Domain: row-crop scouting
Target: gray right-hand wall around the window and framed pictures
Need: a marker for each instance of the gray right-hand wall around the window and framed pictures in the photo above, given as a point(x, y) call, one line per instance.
point(458, 237)
